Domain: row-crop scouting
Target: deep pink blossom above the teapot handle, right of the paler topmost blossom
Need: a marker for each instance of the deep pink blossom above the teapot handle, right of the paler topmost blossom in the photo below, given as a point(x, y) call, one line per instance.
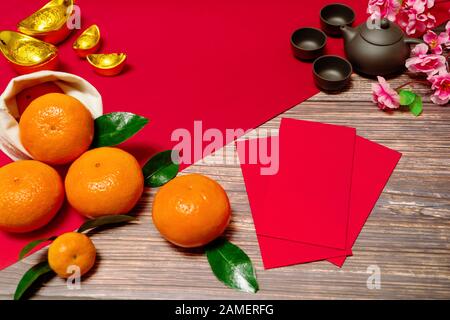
point(413, 22)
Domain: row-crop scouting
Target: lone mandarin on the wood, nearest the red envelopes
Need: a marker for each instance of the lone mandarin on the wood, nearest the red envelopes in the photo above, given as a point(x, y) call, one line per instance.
point(191, 210)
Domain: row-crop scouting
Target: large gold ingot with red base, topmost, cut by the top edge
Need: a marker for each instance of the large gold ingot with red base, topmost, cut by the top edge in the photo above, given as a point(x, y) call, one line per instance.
point(49, 23)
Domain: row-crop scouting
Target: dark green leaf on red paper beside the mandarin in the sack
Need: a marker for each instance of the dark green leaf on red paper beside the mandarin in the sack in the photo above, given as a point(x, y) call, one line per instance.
point(114, 128)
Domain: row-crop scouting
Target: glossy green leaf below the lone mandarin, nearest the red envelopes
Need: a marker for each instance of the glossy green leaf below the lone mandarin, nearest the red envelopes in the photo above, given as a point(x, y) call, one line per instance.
point(232, 266)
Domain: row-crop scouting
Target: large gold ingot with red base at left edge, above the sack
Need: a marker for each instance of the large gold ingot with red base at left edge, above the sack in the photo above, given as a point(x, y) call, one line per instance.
point(27, 54)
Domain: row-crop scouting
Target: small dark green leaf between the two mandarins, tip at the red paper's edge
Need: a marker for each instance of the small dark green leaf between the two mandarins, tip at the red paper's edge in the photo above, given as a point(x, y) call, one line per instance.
point(160, 169)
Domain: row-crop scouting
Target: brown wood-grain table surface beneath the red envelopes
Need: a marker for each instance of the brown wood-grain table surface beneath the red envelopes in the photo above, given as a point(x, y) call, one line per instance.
point(407, 235)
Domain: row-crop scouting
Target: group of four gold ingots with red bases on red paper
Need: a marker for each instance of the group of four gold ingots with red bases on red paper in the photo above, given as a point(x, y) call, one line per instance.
point(33, 47)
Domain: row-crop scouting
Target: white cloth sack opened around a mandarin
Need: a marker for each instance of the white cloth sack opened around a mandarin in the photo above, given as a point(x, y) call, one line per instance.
point(72, 85)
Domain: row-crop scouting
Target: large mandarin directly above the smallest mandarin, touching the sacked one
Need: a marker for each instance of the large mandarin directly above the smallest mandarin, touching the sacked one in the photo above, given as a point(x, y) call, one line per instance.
point(104, 181)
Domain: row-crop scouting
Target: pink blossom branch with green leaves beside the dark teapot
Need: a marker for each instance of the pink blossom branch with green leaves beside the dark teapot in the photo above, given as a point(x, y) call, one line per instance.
point(429, 59)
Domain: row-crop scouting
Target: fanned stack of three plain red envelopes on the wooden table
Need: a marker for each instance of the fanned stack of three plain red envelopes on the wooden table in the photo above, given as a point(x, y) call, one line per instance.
point(314, 207)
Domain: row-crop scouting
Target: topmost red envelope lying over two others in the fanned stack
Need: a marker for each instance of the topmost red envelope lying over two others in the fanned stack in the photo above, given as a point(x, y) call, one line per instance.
point(310, 197)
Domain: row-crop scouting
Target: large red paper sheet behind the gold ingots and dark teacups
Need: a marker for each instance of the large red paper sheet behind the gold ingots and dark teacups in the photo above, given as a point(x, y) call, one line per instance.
point(227, 63)
